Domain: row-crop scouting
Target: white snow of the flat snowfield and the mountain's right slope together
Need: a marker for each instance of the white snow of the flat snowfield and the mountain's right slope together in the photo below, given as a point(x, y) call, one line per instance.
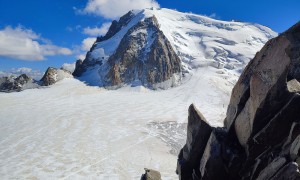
point(74, 131)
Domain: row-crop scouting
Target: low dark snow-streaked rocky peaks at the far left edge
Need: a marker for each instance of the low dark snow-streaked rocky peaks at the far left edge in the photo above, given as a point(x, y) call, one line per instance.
point(16, 84)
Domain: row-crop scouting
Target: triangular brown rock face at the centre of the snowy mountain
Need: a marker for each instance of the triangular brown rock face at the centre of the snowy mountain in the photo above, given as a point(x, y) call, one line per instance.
point(144, 55)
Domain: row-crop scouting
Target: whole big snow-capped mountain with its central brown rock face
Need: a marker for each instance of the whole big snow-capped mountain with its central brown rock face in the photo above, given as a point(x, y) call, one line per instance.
point(188, 42)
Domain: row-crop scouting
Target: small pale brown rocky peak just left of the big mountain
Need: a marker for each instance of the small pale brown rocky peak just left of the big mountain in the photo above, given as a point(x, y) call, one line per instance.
point(53, 75)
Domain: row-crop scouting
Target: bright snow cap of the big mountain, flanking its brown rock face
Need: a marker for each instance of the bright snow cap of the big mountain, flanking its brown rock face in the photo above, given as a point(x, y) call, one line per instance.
point(199, 40)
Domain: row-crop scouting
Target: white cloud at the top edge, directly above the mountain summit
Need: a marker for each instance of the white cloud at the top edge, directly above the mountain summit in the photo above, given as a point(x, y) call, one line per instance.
point(112, 9)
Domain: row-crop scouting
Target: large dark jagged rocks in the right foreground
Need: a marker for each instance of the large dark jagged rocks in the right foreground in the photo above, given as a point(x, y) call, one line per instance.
point(261, 137)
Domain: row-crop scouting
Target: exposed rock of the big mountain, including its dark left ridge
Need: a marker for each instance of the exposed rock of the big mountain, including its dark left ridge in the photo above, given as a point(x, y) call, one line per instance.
point(143, 57)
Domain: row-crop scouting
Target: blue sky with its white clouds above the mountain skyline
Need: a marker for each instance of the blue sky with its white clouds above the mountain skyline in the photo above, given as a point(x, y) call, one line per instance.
point(37, 34)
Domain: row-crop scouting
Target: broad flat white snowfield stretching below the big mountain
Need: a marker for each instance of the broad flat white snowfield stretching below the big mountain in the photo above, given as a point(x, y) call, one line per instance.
point(74, 131)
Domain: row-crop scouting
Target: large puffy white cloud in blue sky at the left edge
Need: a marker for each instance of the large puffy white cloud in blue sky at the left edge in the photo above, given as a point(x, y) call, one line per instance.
point(24, 44)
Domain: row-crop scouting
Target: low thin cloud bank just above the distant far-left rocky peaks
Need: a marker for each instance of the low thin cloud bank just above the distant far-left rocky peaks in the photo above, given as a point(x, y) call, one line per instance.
point(35, 74)
